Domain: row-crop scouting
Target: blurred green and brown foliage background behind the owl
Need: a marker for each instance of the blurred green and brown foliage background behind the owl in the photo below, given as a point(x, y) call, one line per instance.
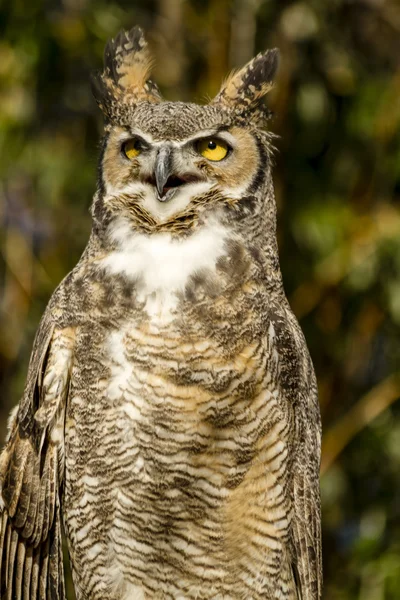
point(337, 179)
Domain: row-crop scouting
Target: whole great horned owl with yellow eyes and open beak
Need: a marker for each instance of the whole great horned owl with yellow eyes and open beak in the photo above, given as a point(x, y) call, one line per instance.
point(170, 415)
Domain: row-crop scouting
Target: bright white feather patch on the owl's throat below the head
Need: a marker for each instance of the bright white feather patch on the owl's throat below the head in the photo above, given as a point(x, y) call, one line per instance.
point(161, 264)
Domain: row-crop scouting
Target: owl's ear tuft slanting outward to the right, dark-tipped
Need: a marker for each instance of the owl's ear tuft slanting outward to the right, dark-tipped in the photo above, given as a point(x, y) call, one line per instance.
point(244, 89)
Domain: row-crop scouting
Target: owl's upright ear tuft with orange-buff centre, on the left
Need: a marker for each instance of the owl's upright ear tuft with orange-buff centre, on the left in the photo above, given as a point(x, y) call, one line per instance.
point(127, 66)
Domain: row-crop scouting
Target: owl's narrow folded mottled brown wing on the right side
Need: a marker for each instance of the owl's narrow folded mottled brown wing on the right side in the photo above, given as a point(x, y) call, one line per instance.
point(298, 384)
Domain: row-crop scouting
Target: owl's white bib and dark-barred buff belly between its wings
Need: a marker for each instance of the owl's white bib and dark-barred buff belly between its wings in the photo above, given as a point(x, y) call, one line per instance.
point(178, 490)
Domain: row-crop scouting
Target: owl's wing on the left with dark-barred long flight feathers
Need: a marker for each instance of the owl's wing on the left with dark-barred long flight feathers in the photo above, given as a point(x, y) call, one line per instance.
point(31, 471)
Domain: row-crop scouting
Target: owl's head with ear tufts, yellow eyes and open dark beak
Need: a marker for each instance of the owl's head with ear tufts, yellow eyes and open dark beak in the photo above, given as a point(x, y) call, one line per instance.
point(169, 166)
